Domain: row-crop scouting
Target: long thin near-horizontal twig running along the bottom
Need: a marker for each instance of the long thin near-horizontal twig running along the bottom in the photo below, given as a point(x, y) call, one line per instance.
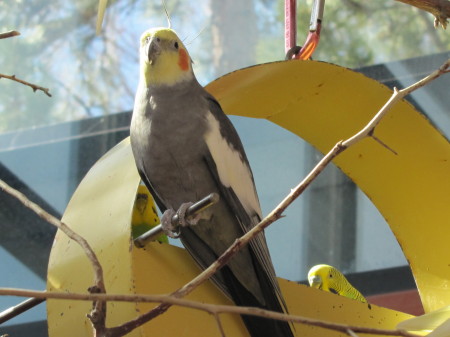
point(214, 309)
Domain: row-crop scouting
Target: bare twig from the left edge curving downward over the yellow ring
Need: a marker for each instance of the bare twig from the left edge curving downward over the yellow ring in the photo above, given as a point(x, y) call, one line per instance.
point(99, 283)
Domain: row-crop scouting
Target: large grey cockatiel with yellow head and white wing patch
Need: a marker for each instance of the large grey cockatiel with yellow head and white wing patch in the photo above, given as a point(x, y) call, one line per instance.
point(186, 148)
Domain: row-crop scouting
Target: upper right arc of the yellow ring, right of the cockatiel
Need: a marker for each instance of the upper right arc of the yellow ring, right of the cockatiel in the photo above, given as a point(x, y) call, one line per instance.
point(325, 103)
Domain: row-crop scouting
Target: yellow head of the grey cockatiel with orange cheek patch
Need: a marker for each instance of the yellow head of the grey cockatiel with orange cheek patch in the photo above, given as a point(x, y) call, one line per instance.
point(163, 57)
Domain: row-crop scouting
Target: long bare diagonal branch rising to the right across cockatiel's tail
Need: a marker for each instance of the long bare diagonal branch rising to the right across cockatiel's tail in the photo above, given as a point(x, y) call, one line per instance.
point(278, 211)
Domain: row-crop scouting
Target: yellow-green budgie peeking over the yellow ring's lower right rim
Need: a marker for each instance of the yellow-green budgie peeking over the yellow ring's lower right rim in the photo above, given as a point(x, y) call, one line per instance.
point(330, 279)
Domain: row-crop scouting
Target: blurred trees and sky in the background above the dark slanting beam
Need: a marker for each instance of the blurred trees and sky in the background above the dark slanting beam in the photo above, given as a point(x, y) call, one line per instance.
point(91, 75)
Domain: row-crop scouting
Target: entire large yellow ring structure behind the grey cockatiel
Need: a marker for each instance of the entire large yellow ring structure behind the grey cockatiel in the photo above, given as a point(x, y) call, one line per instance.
point(320, 102)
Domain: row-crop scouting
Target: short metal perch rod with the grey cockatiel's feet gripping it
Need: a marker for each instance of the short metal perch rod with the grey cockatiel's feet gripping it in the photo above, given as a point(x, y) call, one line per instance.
point(187, 214)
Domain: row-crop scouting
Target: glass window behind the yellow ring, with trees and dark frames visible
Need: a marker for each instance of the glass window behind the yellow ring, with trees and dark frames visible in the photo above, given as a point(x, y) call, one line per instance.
point(47, 144)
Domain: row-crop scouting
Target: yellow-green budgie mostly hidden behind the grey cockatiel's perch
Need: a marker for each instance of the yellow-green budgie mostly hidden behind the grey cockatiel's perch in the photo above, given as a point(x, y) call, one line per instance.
point(144, 215)
